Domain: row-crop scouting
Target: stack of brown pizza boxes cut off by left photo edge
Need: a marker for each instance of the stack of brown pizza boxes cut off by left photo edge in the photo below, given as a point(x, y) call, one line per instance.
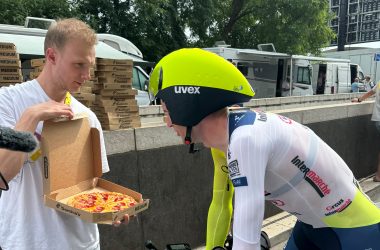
point(10, 65)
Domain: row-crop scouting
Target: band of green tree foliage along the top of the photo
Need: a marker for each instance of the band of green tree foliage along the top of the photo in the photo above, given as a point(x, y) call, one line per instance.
point(161, 26)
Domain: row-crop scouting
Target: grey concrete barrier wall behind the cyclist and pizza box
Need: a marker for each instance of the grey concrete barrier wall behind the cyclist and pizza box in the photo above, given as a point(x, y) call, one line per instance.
point(153, 161)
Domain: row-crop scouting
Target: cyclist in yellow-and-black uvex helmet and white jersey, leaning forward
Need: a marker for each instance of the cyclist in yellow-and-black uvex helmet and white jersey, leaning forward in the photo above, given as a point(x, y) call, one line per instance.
point(270, 157)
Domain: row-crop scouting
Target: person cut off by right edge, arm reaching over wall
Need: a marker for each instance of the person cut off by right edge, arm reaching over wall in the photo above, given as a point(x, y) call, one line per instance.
point(375, 117)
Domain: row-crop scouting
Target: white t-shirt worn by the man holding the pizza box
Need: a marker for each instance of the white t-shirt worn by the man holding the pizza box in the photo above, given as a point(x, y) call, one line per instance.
point(25, 222)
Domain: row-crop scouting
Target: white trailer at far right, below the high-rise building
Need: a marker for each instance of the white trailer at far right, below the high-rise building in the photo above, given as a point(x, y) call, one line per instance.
point(365, 54)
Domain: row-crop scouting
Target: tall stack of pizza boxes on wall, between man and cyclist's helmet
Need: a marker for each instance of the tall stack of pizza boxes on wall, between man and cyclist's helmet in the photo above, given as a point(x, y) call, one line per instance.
point(115, 104)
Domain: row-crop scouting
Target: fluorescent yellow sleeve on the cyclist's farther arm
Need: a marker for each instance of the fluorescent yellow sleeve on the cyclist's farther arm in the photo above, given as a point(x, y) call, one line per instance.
point(220, 211)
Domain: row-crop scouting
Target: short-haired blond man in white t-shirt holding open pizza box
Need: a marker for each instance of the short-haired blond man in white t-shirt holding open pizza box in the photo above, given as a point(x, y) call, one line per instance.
point(25, 223)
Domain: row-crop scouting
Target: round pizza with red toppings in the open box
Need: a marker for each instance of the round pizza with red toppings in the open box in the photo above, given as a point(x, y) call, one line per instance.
point(102, 202)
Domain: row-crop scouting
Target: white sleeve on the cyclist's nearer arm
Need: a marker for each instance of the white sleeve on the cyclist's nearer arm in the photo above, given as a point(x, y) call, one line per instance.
point(249, 152)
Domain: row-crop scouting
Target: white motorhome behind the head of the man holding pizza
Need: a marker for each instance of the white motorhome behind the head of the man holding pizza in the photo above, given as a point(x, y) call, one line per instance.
point(29, 40)
